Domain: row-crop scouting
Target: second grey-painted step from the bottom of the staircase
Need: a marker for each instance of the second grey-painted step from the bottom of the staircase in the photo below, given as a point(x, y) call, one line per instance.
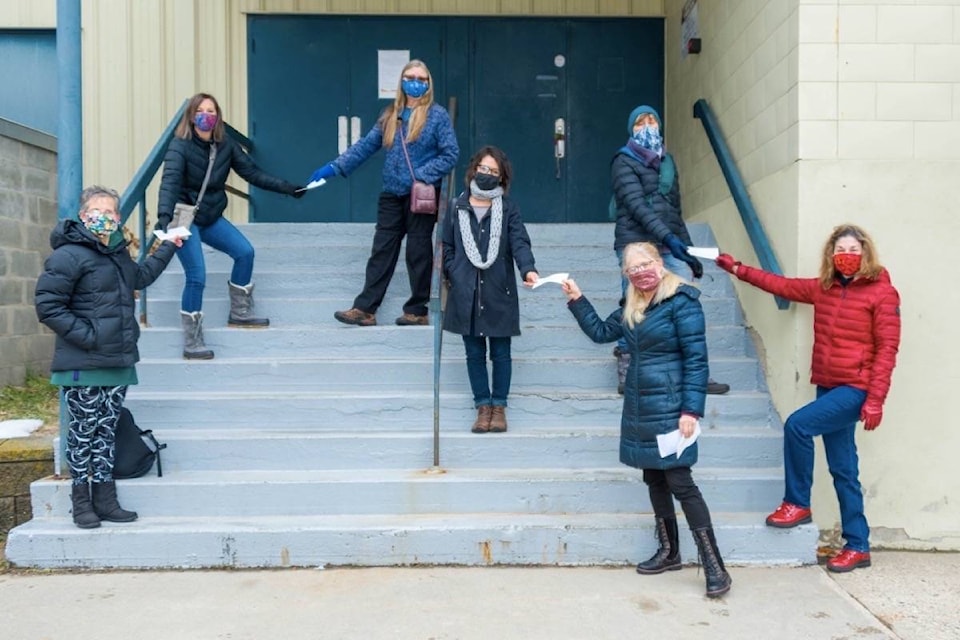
point(413, 491)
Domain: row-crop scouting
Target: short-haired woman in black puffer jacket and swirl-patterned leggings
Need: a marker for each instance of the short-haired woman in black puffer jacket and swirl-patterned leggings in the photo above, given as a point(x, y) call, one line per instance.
point(86, 296)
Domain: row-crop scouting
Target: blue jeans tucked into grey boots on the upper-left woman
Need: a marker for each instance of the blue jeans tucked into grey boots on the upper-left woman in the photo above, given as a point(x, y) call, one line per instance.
point(222, 236)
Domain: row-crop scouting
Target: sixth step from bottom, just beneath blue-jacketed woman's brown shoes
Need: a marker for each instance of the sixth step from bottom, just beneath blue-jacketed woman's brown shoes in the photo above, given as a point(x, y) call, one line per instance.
point(331, 338)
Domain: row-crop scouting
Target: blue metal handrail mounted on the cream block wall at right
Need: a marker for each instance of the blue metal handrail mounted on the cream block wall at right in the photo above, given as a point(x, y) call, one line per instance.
point(751, 221)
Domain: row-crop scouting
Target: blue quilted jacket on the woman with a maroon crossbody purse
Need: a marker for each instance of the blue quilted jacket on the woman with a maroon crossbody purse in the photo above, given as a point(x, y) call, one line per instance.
point(433, 154)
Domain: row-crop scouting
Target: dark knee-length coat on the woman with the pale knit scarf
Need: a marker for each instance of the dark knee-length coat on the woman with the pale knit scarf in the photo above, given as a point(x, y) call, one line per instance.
point(486, 298)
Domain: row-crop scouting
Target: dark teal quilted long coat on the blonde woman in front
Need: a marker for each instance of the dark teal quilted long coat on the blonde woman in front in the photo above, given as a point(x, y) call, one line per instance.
point(667, 375)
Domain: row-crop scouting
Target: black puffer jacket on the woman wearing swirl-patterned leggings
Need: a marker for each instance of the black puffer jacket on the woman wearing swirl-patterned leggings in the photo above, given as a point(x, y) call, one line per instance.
point(85, 295)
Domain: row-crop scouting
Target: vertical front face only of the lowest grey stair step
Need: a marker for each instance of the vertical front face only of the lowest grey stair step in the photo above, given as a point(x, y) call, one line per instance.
point(517, 544)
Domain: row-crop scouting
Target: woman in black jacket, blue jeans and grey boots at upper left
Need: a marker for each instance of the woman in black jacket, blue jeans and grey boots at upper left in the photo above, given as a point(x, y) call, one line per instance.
point(201, 139)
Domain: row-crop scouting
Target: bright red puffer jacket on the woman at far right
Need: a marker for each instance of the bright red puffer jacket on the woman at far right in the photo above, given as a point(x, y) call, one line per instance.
point(856, 328)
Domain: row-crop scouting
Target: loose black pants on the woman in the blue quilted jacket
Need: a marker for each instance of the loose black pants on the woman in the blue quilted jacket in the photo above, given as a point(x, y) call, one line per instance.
point(394, 221)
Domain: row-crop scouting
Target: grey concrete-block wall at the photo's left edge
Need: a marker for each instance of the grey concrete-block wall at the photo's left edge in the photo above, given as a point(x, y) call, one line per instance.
point(28, 211)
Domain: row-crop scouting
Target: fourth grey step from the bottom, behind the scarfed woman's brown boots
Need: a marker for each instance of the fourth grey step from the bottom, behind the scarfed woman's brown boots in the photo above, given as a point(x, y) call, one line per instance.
point(531, 410)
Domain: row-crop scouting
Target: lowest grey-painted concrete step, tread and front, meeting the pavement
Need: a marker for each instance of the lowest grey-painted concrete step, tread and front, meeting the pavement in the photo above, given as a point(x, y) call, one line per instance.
point(390, 540)
